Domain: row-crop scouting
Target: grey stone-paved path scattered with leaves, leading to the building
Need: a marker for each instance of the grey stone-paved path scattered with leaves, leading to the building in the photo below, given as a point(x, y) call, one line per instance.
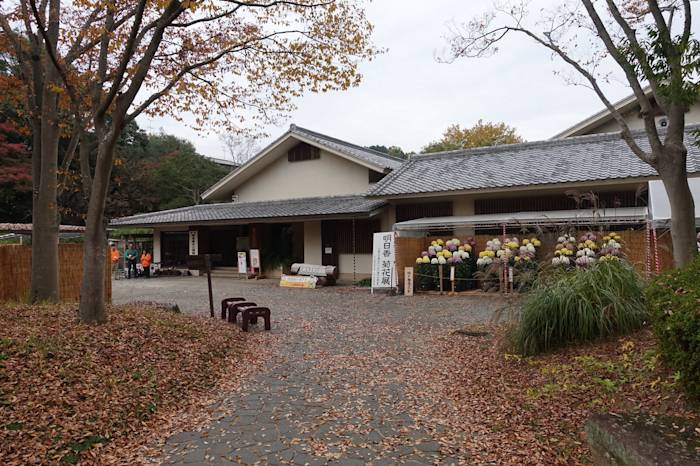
point(343, 364)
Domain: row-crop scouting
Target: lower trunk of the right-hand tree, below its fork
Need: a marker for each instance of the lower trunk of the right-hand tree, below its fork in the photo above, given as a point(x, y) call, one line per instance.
point(675, 179)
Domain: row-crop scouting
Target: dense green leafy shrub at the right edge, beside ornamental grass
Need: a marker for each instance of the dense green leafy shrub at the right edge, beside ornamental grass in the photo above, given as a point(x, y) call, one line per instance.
point(674, 302)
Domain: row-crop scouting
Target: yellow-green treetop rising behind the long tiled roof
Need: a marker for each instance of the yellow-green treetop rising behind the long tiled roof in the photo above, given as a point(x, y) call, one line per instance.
point(481, 134)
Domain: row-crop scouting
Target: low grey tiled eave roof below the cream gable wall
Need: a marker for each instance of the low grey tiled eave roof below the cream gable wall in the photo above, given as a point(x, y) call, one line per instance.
point(256, 211)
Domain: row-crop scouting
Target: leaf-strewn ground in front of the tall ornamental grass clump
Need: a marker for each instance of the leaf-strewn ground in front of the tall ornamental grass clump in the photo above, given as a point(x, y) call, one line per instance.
point(496, 407)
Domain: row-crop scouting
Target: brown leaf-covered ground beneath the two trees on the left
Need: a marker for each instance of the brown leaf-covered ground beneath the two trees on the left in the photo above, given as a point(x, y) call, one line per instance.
point(75, 393)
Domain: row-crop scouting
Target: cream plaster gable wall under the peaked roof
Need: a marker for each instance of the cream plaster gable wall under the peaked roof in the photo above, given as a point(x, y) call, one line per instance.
point(330, 175)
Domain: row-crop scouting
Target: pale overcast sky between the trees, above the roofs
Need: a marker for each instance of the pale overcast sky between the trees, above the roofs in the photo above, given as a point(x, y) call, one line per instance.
point(407, 98)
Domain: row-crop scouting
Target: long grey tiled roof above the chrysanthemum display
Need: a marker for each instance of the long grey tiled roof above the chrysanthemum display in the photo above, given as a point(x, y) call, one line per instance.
point(572, 160)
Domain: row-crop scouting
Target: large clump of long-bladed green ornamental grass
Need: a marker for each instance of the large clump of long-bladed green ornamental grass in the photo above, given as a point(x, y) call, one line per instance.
point(584, 304)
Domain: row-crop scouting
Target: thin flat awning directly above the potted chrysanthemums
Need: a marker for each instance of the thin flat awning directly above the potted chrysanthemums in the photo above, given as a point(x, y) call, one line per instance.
point(622, 215)
